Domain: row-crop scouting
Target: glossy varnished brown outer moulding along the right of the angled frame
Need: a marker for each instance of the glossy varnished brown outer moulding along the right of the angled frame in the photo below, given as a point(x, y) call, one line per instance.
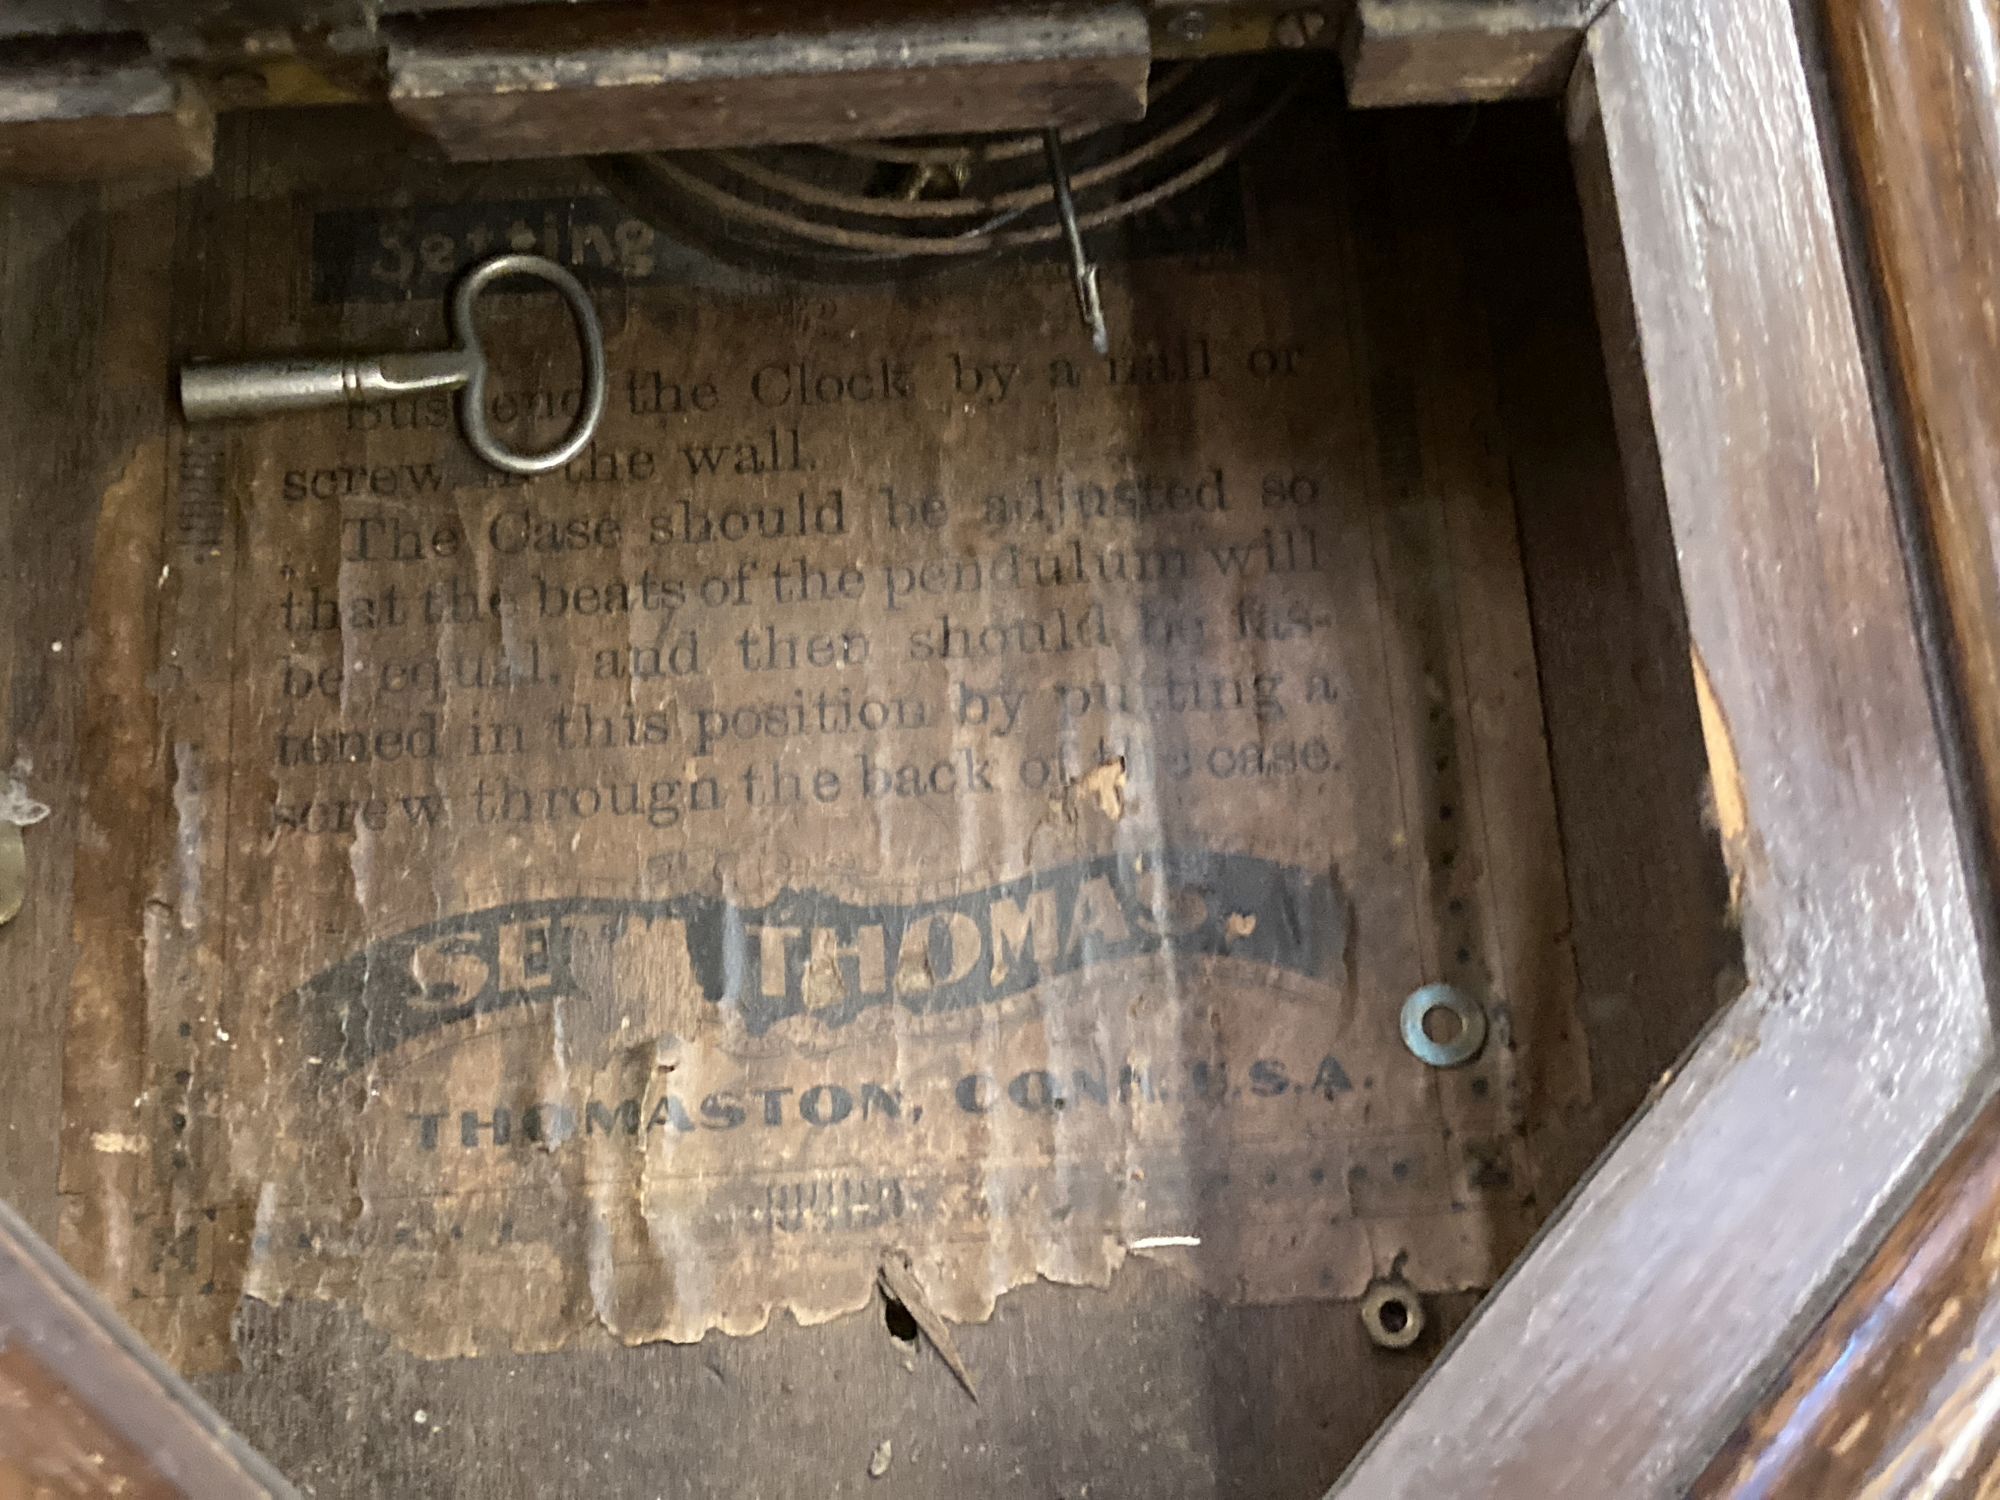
point(1895, 1393)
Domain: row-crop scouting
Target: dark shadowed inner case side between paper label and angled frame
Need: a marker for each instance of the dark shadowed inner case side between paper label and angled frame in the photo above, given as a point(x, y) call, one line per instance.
point(1649, 895)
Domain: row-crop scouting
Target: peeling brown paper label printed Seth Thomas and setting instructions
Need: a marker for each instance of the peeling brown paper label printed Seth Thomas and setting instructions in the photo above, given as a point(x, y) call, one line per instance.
point(991, 833)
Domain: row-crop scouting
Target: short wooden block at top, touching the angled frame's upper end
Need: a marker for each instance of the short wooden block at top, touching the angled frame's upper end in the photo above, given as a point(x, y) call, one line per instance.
point(1461, 51)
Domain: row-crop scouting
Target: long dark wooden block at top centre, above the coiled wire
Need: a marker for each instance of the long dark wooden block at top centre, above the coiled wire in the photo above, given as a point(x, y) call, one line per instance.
point(629, 79)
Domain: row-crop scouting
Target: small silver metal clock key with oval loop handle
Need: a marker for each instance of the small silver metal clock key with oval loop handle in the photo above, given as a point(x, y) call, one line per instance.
point(213, 391)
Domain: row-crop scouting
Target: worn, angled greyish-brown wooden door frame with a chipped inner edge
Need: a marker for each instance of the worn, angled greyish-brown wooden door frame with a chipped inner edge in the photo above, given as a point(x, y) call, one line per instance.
point(1615, 1357)
